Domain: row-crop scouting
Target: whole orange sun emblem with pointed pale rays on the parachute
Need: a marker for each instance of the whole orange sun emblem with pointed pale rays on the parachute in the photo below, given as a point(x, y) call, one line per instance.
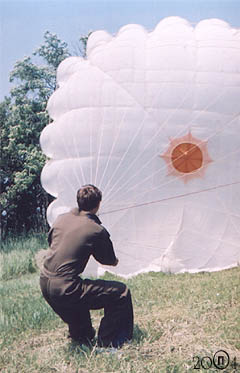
point(187, 157)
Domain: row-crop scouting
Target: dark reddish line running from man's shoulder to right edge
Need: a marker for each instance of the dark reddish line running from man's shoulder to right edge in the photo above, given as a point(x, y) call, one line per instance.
point(170, 198)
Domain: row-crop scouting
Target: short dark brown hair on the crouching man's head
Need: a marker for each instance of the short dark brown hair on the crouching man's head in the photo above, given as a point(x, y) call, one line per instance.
point(88, 197)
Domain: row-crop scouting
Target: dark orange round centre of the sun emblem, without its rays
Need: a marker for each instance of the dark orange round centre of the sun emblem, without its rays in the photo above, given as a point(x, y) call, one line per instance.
point(187, 157)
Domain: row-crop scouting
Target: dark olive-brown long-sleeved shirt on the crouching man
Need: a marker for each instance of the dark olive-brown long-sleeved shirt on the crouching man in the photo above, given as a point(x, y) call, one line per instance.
point(73, 238)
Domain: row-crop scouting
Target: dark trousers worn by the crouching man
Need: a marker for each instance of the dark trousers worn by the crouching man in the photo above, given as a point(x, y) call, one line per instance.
point(116, 327)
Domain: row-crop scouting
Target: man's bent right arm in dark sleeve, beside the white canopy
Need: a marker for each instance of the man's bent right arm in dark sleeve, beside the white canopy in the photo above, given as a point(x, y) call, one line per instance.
point(103, 250)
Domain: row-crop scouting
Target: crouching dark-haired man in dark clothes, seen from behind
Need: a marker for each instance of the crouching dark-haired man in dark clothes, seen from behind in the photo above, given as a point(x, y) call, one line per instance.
point(73, 238)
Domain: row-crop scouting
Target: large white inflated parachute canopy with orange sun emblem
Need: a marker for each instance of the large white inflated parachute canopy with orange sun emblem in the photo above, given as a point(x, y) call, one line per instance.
point(152, 119)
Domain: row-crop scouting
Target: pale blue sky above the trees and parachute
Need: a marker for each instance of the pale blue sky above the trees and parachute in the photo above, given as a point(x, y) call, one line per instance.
point(23, 22)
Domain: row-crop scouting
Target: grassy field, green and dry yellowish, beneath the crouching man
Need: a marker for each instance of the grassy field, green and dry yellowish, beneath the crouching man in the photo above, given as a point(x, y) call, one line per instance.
point(181, 321)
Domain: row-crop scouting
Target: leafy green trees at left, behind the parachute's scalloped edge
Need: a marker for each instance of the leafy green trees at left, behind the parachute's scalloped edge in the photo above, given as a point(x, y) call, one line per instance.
point(23, 116)
